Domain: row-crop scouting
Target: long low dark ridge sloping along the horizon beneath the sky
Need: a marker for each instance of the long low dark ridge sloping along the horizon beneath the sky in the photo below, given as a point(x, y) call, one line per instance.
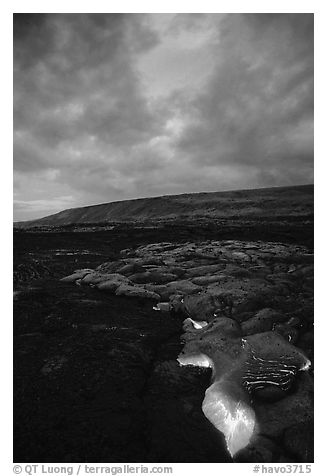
point(178, 206)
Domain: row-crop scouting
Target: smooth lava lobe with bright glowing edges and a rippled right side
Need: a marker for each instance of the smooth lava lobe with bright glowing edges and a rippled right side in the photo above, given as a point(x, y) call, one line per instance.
point(240, 368)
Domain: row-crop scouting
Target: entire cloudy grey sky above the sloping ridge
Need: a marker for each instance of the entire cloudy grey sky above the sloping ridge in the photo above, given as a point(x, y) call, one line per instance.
point(116, 106)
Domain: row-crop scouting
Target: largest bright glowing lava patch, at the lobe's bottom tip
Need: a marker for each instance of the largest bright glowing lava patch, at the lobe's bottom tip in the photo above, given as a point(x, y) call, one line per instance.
point(234, 418)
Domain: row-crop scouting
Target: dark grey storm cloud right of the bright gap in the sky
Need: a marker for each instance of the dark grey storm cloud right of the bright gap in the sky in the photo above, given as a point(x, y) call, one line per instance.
point(257, 109)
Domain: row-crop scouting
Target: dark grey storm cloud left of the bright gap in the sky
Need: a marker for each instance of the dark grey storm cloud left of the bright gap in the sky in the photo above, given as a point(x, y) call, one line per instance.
point(74, 81)
